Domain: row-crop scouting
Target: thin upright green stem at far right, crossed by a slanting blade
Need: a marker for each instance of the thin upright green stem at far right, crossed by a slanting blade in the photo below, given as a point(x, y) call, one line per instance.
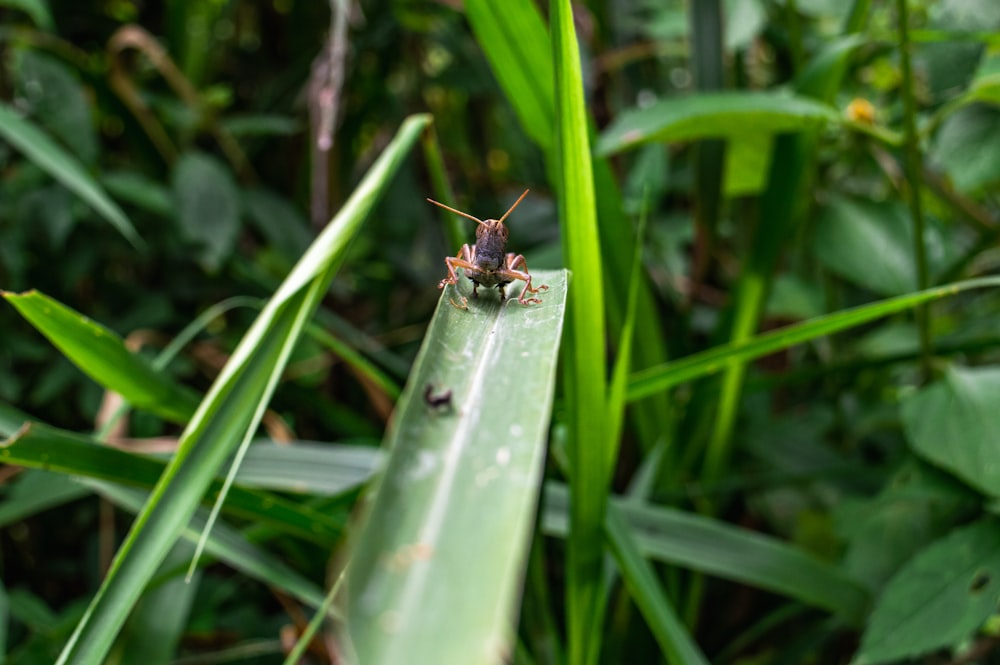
point(913, 167)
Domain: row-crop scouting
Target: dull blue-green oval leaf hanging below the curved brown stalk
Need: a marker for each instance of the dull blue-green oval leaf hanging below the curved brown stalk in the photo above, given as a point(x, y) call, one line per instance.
point(208, 206)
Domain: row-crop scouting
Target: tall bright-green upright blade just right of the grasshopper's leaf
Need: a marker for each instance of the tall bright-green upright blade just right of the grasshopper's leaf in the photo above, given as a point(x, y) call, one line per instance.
point(585, 378)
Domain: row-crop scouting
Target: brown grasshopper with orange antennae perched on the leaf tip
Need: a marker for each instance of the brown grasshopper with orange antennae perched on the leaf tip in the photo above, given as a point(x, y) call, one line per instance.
point(487, 262)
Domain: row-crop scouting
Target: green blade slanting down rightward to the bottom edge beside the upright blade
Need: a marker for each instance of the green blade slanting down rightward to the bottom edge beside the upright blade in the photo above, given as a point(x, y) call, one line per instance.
point(647, 592)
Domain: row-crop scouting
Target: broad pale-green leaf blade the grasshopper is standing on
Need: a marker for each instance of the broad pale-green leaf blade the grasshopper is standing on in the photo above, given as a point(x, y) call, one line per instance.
point(449, 522)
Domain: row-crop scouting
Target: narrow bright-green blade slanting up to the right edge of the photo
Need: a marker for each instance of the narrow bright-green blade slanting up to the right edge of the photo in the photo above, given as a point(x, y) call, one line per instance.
point(713, 360)
